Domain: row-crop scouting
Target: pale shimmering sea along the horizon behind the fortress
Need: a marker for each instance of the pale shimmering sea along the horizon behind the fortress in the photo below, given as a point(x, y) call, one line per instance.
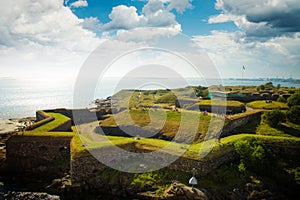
point(22, 97)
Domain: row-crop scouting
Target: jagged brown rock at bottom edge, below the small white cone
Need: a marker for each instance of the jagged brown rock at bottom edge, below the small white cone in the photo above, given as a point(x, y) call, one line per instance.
point(180, 191)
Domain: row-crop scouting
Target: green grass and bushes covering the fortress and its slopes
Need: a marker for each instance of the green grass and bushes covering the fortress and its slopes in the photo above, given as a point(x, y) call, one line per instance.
point(256, 163)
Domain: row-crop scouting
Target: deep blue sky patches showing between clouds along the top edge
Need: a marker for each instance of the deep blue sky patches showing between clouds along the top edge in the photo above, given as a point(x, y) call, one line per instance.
point(193, 20)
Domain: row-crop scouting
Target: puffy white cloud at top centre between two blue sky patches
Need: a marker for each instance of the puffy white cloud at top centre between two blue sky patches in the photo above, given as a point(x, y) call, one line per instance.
point(155, 13)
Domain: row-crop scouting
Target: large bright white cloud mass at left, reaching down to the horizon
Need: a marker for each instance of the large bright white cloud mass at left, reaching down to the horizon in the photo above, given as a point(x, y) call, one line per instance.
point(42, 37)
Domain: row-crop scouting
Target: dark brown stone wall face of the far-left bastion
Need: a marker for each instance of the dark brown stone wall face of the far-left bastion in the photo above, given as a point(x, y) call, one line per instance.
point(43, 156)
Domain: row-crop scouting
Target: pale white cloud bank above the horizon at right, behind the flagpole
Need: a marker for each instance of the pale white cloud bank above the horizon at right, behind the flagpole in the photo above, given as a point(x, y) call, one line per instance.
point(277, 56)
